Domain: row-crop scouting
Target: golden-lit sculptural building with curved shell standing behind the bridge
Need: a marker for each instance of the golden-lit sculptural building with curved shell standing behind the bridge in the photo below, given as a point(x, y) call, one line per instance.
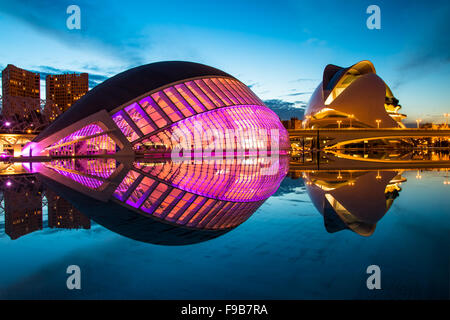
point(353, 97)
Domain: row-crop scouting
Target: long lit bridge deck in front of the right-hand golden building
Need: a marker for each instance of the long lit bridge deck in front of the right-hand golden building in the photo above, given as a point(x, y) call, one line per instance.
point(334, 137)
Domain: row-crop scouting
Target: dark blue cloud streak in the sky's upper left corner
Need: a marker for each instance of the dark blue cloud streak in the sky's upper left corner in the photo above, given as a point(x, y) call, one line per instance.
point(99, 31)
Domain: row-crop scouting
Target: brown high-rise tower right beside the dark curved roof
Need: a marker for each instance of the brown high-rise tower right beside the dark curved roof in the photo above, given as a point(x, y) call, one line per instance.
point(63, 90)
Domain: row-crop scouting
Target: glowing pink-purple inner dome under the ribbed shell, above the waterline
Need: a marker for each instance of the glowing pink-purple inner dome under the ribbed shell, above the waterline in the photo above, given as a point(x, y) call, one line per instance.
point(239, 129)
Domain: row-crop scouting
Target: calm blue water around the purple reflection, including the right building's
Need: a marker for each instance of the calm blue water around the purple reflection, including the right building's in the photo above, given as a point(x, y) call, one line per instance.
point(285, 250)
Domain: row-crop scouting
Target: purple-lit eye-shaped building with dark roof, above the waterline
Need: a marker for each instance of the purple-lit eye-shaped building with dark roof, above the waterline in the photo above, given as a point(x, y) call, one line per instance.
point(139, 110)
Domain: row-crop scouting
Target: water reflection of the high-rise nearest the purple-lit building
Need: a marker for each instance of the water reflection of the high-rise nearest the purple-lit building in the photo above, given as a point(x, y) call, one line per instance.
point(62, 214)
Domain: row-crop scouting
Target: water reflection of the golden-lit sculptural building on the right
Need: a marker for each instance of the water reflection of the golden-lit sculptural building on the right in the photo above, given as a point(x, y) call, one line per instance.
point(354, 200)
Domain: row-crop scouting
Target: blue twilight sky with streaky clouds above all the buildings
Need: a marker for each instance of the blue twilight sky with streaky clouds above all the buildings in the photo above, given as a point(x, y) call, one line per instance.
point(278, 48)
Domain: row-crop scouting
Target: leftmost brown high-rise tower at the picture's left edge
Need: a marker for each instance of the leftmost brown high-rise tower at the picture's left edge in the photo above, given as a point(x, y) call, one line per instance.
point(21, 94)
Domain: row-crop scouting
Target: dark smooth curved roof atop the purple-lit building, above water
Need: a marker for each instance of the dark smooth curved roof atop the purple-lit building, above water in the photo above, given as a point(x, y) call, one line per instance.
point(128, 85)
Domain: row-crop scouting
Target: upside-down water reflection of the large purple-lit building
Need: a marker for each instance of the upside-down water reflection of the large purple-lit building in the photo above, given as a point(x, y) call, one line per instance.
point(165, 202)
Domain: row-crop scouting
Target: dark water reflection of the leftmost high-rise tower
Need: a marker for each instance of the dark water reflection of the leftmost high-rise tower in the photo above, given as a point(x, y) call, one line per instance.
point(23, 211)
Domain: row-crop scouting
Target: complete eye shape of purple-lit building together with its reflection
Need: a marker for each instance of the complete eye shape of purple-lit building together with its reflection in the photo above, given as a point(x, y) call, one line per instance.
point(134, 116)
